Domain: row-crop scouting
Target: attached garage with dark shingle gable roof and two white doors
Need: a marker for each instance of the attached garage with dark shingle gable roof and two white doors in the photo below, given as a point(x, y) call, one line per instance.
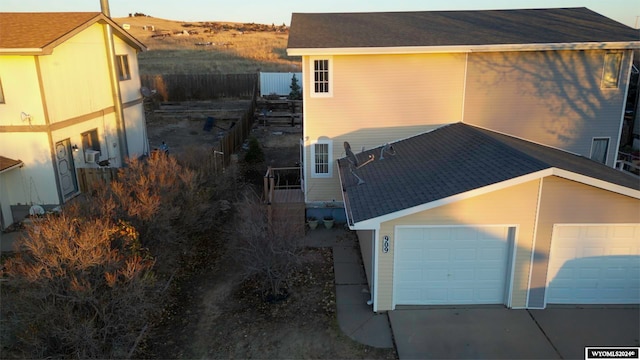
point(512, 223)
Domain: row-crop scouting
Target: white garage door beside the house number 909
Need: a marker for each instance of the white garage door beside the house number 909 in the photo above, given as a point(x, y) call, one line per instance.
point(451, 265)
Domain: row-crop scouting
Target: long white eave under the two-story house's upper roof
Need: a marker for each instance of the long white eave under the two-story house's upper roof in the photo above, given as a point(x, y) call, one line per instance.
point(395, 50)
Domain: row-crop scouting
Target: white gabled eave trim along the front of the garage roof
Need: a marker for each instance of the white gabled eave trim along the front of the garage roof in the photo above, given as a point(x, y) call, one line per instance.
point(374, 223)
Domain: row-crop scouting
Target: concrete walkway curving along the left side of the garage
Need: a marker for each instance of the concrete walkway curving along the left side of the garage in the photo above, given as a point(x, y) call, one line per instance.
point(355, 317)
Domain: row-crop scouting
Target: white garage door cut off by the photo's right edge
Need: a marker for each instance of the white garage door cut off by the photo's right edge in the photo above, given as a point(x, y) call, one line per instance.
point(594, 265)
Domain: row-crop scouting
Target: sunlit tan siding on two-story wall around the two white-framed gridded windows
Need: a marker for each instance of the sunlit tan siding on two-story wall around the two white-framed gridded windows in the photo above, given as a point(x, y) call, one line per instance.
point(378, 99)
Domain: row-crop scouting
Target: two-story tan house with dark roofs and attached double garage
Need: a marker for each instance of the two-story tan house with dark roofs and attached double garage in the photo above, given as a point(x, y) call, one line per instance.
point(496, 185)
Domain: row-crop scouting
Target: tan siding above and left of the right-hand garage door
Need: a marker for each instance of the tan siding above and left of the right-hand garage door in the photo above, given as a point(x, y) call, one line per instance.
point(569, 202)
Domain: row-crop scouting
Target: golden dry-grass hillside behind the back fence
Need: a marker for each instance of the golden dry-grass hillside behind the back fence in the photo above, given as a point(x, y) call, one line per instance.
point(177, 47)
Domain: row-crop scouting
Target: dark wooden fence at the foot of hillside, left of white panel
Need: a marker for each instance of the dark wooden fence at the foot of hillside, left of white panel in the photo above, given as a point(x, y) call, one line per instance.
point(182, 87)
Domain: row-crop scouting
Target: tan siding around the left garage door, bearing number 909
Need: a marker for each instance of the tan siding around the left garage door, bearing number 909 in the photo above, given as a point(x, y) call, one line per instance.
point(512, 206)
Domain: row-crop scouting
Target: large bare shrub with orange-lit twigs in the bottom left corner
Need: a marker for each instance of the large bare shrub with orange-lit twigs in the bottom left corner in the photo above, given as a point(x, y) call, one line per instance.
point(82, 285)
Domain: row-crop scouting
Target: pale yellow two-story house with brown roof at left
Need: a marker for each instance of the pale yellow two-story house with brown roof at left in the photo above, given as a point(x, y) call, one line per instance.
point(69, 99)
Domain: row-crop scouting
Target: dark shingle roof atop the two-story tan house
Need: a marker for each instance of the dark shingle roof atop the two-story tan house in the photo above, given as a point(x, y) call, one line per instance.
point(451, 28)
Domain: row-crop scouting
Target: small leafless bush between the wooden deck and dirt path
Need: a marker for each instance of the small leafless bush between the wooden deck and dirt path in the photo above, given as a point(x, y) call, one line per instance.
point(270, 253)
